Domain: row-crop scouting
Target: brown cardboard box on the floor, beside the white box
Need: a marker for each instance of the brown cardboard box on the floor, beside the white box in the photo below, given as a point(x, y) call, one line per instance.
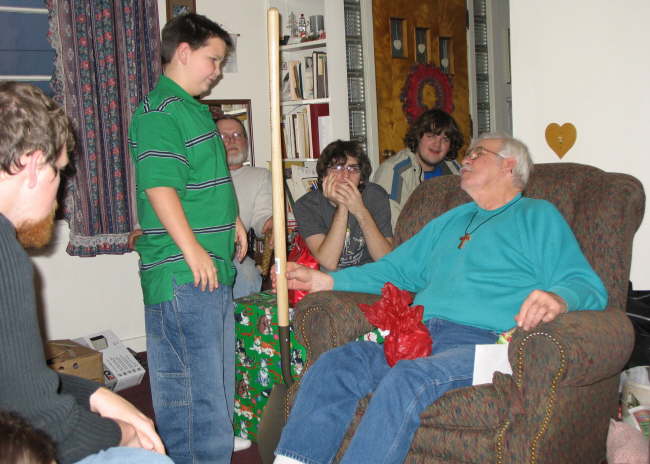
point(72, 358)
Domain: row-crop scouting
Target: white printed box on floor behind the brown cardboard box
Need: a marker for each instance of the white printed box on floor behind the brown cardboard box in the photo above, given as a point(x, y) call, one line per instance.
point(121, 369)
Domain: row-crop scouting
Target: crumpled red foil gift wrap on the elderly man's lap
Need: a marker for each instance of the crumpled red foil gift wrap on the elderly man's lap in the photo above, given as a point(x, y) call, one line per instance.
point(409, 338)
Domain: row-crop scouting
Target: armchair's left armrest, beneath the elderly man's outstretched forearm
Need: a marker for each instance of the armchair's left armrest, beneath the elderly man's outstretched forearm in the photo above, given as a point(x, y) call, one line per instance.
point(325, 320)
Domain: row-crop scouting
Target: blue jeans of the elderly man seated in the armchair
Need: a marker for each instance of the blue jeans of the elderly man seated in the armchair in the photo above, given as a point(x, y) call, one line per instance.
point(333, 386)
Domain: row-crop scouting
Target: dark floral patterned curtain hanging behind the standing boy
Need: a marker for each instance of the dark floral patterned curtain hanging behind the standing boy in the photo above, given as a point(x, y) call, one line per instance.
point(108, 59)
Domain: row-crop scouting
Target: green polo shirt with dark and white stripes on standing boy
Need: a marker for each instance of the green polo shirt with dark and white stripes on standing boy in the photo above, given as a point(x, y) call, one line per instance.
point(174, 143)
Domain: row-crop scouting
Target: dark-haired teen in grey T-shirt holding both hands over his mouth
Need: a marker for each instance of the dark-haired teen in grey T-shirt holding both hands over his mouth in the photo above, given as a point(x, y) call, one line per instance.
point(346, 222)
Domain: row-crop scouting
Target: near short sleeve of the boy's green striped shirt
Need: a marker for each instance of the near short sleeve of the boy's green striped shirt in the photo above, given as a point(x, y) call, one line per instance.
point(159, 152)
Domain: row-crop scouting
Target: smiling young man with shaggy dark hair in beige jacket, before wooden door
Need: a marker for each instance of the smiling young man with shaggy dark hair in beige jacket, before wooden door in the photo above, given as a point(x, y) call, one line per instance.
point(432, 144)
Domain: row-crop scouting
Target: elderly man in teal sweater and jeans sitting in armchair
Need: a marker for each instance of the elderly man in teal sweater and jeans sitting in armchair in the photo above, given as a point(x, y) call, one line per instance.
point(480, 269)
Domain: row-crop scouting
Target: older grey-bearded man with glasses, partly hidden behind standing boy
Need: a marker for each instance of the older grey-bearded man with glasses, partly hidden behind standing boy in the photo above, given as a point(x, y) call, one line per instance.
point(254, 197)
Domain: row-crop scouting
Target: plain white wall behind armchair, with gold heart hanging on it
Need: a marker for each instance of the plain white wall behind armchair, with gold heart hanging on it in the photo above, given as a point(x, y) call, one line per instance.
point(586, 62)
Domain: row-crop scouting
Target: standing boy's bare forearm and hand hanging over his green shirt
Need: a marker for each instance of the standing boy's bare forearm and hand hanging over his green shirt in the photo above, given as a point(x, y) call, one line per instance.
point(169, 210)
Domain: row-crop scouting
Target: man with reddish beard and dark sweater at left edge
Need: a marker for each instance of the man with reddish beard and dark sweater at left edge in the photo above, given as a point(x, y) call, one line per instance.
point(81, 417)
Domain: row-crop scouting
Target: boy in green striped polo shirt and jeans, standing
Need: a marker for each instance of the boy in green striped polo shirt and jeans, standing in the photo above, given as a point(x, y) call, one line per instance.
point(188, 213)
